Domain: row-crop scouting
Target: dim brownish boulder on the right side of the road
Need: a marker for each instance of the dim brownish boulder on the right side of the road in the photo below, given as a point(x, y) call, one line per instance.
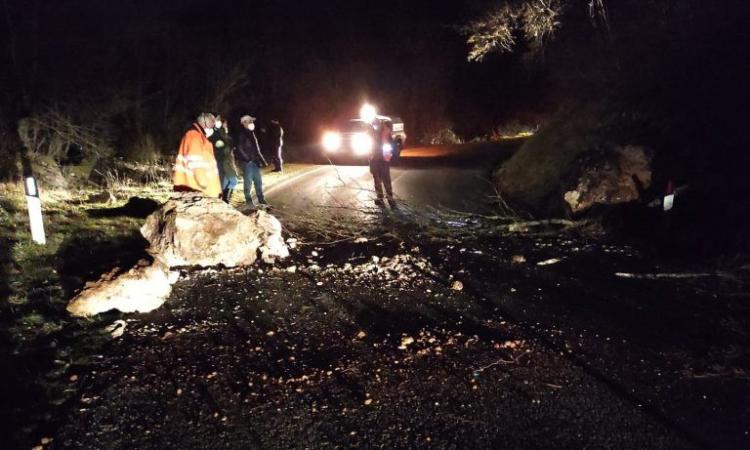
point(610, 177)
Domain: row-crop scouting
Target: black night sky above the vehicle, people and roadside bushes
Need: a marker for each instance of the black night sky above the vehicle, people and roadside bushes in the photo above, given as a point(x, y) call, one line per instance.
point(151, 66)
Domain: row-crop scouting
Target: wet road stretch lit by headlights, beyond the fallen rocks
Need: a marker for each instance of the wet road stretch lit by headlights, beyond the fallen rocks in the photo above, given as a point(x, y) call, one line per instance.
point(456, 178)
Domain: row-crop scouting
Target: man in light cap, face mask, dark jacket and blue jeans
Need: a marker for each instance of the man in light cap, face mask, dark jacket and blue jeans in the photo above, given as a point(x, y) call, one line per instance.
point(250, 159)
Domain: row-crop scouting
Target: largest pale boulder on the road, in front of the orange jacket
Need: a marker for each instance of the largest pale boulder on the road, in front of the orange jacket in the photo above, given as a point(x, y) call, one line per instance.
point(193, 230)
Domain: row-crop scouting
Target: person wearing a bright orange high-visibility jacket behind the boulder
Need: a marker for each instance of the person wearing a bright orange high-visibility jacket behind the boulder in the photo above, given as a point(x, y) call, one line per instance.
point(195, 168)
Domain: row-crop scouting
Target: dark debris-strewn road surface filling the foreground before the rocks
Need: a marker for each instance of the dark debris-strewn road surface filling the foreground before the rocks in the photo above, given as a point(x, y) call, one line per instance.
point(412, 341)
